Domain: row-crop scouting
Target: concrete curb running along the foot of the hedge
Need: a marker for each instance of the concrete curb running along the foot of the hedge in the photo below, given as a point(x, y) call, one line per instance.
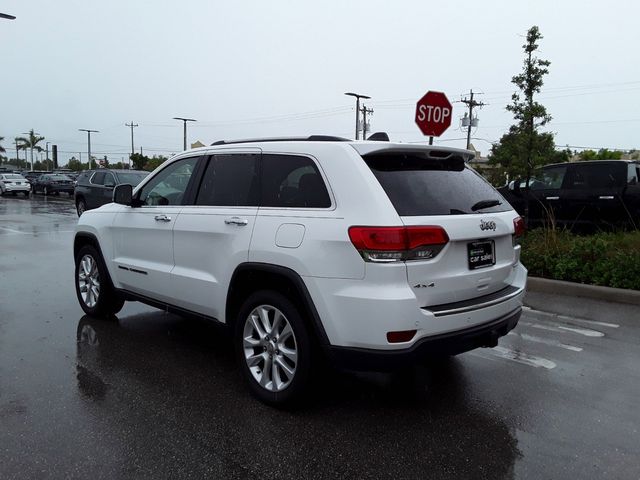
point(608, 294)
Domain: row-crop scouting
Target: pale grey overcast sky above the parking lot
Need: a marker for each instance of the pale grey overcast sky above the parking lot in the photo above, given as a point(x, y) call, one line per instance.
point(275, 67)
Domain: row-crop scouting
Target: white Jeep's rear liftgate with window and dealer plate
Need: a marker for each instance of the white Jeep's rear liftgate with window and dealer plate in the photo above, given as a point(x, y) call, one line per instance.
point(438, 189)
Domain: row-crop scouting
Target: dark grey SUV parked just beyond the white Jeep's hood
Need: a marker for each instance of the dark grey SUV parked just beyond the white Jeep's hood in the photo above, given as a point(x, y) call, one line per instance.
point(95, 187)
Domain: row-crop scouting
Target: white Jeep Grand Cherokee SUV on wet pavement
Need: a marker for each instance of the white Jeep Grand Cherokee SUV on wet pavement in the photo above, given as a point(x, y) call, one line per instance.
point(371, 254)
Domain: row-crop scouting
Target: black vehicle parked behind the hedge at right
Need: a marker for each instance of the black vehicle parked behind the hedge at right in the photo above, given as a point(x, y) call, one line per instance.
point(584, 196)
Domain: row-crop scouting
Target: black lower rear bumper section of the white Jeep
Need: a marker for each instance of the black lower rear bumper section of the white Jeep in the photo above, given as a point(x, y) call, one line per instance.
point(451, 343)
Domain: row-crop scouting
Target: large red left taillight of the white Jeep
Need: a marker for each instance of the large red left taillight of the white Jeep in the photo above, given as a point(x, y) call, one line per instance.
point(394, 244)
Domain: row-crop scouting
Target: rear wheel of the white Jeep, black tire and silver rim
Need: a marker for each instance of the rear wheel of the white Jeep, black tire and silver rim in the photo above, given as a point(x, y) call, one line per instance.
point(273, 347)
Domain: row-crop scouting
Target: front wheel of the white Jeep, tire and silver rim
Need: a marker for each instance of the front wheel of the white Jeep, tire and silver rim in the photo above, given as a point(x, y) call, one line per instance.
point(103, 300)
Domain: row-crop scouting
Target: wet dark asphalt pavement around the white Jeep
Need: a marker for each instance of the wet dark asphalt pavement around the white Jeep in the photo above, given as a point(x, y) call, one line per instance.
point(157, 396)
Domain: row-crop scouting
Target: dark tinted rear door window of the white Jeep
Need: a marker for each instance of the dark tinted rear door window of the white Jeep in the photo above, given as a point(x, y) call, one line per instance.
point(230, 180)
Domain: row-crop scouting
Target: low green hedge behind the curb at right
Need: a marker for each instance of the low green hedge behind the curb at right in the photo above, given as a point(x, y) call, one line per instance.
point(606, 259)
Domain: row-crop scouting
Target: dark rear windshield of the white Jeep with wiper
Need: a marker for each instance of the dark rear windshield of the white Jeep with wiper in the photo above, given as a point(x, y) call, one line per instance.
point(418, 185)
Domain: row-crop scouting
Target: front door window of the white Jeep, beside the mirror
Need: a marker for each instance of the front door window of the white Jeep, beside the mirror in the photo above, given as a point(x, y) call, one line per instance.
point(170, 184)
